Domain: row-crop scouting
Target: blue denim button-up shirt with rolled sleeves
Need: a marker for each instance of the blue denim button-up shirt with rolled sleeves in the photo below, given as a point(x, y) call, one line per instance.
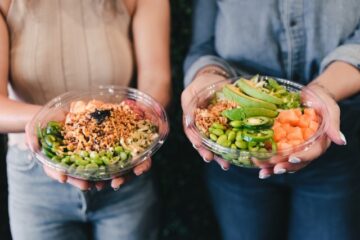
point(292, 39)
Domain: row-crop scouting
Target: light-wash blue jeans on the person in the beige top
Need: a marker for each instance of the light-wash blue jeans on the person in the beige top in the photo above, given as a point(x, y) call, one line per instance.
point(41, 208)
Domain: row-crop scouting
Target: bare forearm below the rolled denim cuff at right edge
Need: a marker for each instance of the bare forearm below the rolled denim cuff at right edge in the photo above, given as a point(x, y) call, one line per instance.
point(340, 79)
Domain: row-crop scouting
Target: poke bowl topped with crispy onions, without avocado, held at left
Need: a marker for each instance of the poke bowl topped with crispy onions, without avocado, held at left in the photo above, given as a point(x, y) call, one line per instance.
point(98, 134)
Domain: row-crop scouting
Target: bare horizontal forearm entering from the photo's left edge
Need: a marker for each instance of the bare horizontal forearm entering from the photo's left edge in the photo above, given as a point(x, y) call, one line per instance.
point(14, 115)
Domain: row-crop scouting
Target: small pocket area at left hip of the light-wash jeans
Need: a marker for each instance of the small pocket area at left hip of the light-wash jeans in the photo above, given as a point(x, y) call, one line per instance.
point(20, 160)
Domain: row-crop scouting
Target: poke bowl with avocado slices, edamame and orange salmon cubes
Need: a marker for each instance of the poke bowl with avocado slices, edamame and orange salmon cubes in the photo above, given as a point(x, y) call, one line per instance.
point(248, 121)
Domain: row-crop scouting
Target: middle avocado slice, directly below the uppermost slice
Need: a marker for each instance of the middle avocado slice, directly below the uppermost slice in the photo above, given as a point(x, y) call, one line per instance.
point(234, 94)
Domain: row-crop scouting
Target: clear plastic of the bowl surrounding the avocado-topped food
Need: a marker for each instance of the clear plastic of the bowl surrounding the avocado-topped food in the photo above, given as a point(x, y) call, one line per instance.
point(245, 158)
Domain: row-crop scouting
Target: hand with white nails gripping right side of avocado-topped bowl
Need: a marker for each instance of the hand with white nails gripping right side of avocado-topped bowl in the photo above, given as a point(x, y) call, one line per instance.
point(301, 159)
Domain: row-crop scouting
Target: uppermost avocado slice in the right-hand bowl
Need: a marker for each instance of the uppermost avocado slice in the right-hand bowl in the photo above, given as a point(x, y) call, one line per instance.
point(252, 91)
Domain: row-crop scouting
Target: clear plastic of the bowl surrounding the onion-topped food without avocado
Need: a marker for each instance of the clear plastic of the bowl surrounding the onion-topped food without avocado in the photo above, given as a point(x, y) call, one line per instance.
point(59, 106)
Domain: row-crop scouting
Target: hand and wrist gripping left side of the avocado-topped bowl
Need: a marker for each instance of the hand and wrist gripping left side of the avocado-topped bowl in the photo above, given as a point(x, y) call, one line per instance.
point(199, 82)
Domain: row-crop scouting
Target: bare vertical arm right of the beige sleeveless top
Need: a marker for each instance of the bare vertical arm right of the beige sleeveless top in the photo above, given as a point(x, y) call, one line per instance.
point(151, 30)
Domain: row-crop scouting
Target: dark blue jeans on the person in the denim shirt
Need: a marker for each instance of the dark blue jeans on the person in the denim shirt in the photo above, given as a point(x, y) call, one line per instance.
point(320, 202)
